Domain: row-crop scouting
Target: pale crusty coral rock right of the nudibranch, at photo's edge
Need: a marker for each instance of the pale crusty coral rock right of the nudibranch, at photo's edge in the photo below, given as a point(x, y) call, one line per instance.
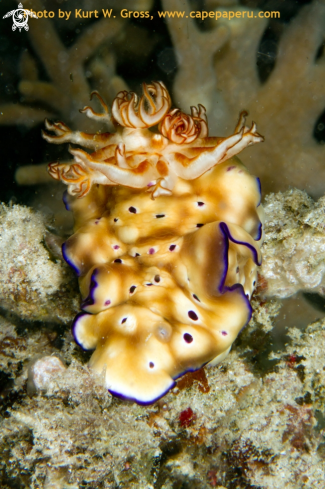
point(294, 248)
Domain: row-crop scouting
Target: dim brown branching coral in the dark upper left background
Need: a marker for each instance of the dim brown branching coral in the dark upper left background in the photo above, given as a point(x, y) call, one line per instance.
point(70, 71)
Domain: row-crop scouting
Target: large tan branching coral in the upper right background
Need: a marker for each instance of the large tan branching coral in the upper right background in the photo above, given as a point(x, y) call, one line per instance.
point(235, 84)
